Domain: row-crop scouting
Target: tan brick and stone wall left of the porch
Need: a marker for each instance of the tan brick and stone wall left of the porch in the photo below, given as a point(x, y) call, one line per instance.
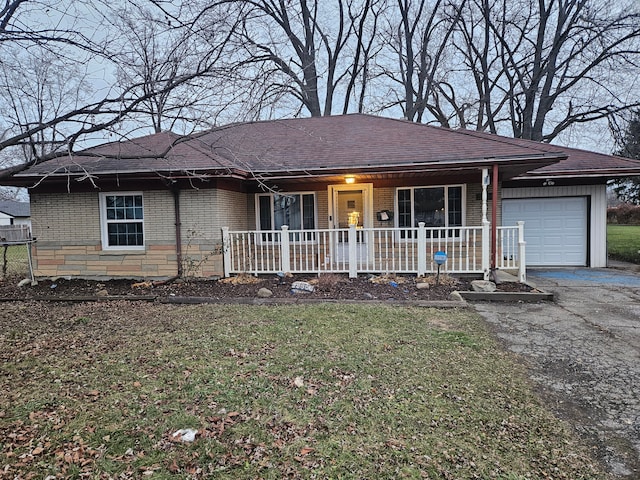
point(67, 228)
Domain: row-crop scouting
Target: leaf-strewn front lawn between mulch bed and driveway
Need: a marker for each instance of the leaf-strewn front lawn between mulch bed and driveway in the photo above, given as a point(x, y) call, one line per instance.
point(97, 390)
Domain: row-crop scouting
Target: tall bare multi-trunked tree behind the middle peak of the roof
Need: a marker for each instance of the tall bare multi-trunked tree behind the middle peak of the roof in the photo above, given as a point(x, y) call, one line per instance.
point(311, 52)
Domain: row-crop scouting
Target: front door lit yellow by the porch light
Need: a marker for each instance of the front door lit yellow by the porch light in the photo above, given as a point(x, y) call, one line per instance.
point(350, 205)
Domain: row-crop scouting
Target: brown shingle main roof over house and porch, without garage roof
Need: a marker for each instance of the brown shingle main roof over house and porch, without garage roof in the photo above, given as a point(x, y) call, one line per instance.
point(291, 146)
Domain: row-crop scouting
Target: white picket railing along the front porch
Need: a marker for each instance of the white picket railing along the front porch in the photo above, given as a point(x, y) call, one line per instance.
point(371, 250)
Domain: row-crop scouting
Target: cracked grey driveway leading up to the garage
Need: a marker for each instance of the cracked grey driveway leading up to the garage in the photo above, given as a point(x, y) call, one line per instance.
point(583, 351)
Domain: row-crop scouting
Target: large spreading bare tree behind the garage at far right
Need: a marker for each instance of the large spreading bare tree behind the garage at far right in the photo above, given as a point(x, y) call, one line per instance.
point(541, 66)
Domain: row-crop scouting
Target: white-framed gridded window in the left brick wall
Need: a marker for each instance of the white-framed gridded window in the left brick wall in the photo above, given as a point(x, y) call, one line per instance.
point(122, 221)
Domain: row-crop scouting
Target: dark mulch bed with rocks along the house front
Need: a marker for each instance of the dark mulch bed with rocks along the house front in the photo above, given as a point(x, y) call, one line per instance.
point(329, 286)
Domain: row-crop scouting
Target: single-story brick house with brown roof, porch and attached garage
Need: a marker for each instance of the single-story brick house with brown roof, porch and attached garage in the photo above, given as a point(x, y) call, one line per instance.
point(358, 193)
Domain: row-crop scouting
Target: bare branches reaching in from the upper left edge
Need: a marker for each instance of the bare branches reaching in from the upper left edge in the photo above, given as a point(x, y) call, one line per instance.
point(72, 33)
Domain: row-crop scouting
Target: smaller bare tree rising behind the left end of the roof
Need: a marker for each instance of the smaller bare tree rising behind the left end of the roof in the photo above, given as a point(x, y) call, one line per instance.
point(156, 53)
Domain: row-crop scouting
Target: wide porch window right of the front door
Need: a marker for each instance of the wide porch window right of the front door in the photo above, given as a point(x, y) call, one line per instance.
point(435, 206)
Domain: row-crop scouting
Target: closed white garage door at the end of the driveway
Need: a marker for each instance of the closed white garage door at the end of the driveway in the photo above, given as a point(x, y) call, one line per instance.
point(555, 229)
